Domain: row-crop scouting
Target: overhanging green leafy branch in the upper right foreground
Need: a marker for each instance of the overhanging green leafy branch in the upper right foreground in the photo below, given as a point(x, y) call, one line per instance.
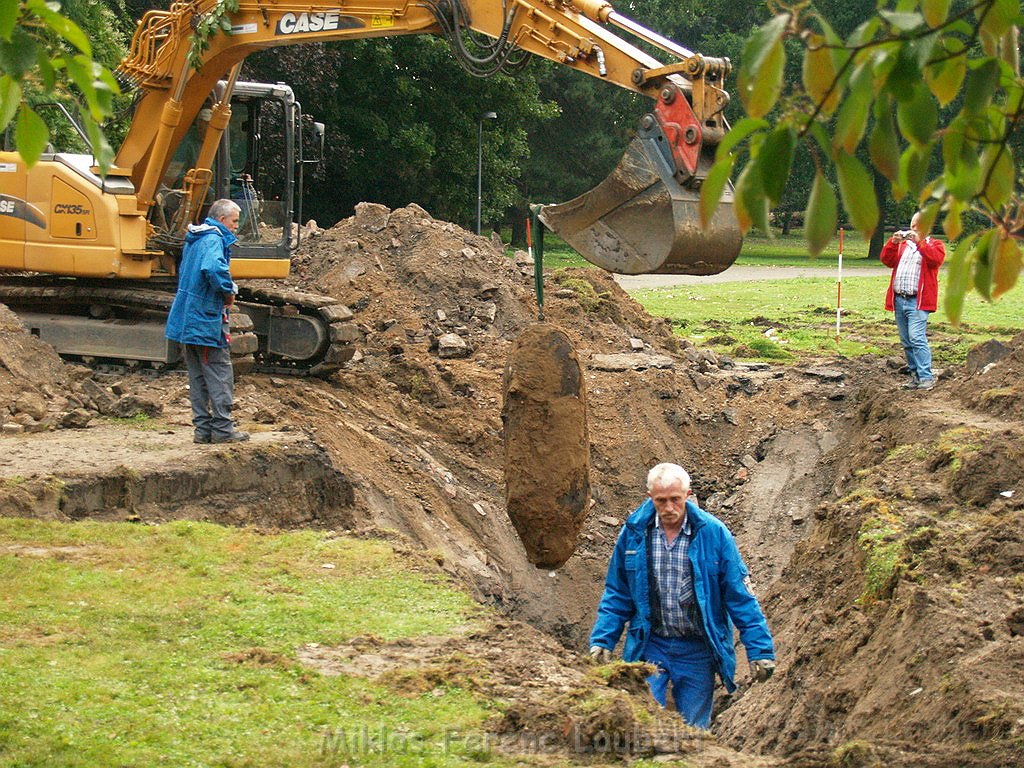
point(899, 67)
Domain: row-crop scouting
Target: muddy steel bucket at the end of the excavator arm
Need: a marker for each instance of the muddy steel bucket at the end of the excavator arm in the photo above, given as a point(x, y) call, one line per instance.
point(643, 221)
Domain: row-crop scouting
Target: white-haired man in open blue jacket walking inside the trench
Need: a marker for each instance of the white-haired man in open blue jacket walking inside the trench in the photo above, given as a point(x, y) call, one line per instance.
point(677, 578)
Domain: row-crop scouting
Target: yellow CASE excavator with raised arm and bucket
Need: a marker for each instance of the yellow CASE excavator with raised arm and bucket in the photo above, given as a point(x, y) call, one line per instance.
point(90, 261)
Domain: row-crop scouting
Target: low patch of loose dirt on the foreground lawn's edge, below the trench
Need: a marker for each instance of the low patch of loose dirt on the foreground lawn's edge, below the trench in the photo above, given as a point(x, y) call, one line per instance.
point(547, 701)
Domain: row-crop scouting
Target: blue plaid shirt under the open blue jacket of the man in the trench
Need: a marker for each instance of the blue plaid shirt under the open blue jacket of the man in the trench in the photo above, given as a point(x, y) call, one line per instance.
point(674, 611)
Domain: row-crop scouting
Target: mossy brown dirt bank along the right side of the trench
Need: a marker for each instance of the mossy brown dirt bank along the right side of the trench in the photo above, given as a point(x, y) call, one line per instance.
point(899, 619)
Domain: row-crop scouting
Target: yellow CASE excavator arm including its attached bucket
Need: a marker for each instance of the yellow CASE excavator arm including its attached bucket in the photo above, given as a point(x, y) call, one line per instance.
point(643, 220)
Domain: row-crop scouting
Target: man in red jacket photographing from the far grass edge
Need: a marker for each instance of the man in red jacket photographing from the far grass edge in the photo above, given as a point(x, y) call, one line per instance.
point(914, 293)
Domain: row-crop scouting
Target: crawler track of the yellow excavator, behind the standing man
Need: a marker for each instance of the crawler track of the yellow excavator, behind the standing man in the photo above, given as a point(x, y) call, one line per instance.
point(293, 333)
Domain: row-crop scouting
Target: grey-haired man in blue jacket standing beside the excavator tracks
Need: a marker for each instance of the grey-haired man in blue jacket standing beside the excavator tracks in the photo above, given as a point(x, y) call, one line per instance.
point(199, 322)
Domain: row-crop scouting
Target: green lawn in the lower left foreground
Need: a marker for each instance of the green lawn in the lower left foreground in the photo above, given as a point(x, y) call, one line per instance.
point(117, 644)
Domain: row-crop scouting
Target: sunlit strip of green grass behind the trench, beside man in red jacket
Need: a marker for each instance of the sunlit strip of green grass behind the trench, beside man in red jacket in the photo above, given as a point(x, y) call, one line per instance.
point(799, 317)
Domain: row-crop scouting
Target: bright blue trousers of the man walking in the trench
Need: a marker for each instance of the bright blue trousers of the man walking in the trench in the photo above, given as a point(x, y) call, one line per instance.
point(690, 665)
